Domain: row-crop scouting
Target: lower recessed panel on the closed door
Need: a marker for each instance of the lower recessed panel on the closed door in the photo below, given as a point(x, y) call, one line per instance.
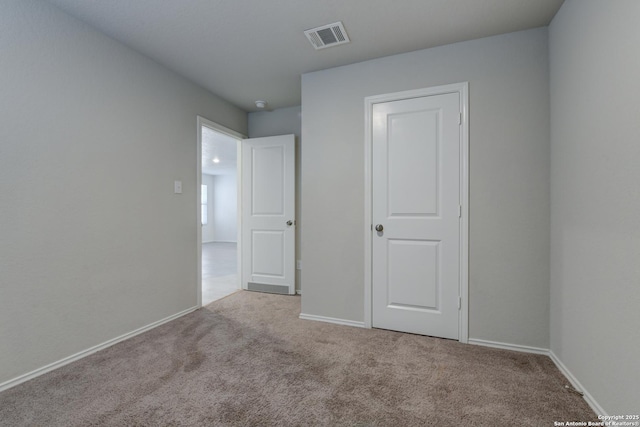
point(414, 280)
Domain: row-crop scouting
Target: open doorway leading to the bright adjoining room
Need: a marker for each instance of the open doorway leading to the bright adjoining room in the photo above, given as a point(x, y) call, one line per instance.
point(219, 245)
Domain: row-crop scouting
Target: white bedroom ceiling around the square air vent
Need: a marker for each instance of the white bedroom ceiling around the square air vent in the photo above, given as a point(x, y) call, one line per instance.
point(245, 50)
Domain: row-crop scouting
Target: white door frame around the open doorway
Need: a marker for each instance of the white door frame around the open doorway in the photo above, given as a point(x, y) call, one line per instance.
point(201, 121)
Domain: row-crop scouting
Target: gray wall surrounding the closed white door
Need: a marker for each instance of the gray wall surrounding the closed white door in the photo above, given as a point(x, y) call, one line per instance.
point(509, 185)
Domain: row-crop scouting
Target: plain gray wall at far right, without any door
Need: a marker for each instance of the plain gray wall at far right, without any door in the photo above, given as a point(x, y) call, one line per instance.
point(595, 198)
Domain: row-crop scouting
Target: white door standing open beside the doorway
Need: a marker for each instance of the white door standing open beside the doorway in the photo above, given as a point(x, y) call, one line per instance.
point(268, 214)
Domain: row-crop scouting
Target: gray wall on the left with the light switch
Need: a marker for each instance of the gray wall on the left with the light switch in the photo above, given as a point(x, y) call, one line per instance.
point(93, 242)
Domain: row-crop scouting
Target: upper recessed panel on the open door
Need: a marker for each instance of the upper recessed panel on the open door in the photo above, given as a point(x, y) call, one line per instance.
point(267, 180)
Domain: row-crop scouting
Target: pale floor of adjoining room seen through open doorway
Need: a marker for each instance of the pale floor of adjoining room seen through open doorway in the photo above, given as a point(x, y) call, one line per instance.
point(219, 271)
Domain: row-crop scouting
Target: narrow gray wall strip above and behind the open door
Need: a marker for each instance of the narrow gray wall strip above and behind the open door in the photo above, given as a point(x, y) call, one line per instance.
point(283, 121)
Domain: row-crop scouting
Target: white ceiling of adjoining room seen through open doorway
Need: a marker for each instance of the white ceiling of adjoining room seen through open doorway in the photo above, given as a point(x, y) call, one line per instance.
point(223, 147)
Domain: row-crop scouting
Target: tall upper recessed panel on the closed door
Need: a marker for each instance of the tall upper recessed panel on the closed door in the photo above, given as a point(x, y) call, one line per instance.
point(413, 141)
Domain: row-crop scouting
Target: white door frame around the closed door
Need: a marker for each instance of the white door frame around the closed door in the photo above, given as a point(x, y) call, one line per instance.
point(462, 89)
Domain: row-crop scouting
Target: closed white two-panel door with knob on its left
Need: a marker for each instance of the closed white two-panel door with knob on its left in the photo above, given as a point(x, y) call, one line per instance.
point(416, 152)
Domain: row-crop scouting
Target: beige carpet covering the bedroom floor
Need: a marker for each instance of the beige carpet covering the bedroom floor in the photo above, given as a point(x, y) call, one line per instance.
point(247, 360)
